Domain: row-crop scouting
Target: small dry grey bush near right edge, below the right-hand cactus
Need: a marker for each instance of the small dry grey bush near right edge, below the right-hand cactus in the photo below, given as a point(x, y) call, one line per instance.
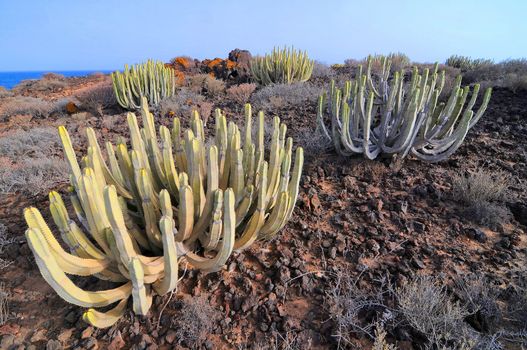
point(480, 186)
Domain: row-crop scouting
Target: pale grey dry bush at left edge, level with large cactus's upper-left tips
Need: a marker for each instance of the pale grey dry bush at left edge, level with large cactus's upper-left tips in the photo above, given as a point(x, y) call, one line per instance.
point(36, 142)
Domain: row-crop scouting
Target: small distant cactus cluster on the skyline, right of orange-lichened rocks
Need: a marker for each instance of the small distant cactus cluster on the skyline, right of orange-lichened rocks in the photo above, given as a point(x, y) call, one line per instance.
point(282, 66)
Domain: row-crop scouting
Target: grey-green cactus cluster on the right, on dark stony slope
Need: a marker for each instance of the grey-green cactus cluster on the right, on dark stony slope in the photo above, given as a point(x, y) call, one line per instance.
point(384, 114)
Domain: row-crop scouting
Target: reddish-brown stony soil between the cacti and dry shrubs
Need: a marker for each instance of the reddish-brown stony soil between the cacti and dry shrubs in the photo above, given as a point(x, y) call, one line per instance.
point(350, 215)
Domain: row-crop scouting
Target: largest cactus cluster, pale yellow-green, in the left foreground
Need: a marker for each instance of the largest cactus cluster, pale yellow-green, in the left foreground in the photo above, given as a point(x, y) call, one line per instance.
point(160, 201)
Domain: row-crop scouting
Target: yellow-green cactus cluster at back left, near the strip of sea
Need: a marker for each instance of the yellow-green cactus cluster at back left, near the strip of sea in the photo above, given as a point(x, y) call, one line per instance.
point(151, 79)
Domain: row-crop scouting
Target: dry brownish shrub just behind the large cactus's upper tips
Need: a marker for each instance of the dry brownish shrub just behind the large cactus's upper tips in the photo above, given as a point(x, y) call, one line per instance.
point(183, 103)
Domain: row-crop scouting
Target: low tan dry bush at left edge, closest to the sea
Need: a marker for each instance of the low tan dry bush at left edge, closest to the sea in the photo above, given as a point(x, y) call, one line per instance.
point(18, 105)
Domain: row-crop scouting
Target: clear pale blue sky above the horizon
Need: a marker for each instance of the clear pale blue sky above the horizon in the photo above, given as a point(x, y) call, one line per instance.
point(106, 34)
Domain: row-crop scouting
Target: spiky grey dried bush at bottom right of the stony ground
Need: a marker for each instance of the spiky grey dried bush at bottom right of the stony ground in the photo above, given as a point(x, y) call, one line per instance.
point(427, 308)
